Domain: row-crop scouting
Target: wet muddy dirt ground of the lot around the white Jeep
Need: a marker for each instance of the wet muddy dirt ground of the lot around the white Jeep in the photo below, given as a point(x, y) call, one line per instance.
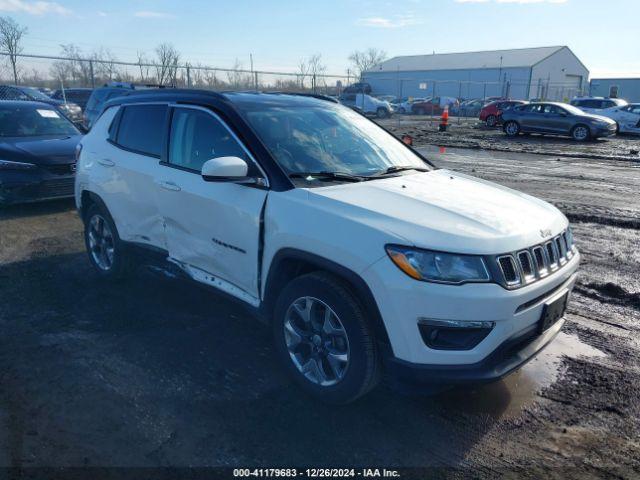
point(155, 372)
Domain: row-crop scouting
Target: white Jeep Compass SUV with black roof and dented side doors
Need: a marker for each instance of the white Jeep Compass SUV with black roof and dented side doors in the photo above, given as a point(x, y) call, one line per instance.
point(364, 257)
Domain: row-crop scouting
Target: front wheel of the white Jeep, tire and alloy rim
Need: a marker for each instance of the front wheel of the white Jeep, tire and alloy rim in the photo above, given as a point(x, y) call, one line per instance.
point(336, 362)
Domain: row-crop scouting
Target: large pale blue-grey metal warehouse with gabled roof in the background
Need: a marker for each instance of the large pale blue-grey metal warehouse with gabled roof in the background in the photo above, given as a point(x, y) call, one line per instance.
point(552, 73)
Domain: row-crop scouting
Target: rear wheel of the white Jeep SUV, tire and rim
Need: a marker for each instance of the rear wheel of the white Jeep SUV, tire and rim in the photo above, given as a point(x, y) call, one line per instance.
point(107, 254)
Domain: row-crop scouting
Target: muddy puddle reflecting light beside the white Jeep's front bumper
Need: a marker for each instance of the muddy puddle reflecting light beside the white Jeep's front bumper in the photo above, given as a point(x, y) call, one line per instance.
point(508, 397)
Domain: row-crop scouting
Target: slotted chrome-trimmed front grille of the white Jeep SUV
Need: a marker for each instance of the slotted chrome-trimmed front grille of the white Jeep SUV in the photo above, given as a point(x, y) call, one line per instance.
point(531, 264)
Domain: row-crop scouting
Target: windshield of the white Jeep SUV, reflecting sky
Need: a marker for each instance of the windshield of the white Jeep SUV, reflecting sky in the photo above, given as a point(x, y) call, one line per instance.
point(328, 138)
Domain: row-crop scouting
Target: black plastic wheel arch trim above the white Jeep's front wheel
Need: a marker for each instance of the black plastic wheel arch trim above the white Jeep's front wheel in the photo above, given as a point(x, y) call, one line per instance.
point(289, 263)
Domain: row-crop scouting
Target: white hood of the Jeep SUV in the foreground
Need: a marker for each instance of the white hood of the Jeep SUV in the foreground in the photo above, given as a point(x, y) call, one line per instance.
point(447, 211)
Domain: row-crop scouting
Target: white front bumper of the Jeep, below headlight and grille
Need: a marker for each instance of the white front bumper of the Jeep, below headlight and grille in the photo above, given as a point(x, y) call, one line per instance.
point(403, 302)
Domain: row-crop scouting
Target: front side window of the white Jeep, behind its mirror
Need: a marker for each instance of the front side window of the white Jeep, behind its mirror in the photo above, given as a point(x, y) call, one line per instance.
point(198, 136)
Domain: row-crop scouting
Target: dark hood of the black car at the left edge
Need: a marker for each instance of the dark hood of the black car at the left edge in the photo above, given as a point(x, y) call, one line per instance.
point(40, 150)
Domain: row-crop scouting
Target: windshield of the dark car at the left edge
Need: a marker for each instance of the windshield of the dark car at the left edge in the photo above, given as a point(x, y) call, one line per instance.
point(28, 121)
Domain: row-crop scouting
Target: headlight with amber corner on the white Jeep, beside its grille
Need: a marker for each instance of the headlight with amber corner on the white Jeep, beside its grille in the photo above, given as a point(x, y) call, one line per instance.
point(438, 267)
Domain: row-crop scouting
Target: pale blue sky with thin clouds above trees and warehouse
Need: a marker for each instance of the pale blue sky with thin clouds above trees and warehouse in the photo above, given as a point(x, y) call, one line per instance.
point(604, 34)
